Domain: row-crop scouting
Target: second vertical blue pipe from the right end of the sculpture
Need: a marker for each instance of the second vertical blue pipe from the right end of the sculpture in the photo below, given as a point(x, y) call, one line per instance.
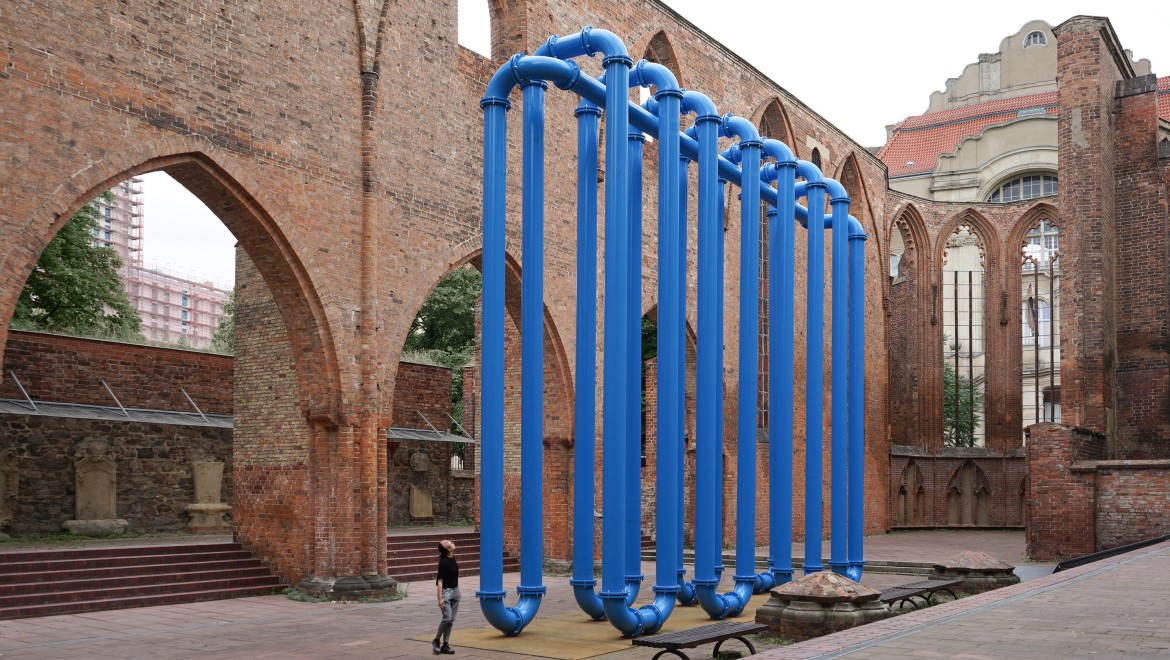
point(839, 401)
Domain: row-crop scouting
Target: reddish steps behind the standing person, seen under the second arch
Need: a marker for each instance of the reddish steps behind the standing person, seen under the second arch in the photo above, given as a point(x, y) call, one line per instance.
point(414, 558)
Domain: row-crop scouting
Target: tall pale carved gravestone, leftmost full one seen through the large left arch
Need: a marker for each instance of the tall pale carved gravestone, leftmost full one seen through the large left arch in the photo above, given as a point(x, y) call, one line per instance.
point(97, 485)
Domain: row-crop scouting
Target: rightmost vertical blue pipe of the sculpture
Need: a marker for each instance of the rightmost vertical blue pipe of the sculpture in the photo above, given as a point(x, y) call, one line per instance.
point(857, 404)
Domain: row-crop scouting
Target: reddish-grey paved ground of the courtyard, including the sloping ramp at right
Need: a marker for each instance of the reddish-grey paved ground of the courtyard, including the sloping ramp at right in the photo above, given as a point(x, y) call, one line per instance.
point(1103, 610)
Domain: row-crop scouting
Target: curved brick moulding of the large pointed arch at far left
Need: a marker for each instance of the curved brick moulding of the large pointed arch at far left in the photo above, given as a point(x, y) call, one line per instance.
point(237, 201)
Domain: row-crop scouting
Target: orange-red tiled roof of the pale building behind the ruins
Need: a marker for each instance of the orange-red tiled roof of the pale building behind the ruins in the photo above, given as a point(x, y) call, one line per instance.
point(917, 142)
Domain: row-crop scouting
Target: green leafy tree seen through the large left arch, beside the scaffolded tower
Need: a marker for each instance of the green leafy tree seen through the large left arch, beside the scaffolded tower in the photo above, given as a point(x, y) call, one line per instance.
point(75, 287)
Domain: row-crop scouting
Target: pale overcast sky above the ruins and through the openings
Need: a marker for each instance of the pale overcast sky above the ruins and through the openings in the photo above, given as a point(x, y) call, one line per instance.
point(861, 66)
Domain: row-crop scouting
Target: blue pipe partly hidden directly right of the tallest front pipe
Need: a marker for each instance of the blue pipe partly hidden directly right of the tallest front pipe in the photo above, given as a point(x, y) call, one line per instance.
point(635, 577)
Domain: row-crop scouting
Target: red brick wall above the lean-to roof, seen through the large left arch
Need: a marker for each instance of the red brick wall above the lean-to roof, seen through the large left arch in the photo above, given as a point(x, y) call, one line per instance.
point(71, 370)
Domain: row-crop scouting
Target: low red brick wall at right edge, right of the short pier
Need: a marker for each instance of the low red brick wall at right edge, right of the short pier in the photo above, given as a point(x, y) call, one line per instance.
point(1132, 501)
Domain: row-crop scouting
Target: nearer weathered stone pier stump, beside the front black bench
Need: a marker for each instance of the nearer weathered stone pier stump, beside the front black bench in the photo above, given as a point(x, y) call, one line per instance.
point(821, 604)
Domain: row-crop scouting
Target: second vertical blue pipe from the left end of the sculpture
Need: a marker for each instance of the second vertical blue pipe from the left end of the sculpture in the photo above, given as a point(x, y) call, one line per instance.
point(532, 524)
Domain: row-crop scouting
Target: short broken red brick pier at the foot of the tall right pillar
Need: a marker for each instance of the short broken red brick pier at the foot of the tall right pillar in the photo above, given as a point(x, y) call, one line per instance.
point(1062, 511)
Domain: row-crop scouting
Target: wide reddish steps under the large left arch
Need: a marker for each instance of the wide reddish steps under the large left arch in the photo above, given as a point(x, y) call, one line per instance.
point(38, 583)
